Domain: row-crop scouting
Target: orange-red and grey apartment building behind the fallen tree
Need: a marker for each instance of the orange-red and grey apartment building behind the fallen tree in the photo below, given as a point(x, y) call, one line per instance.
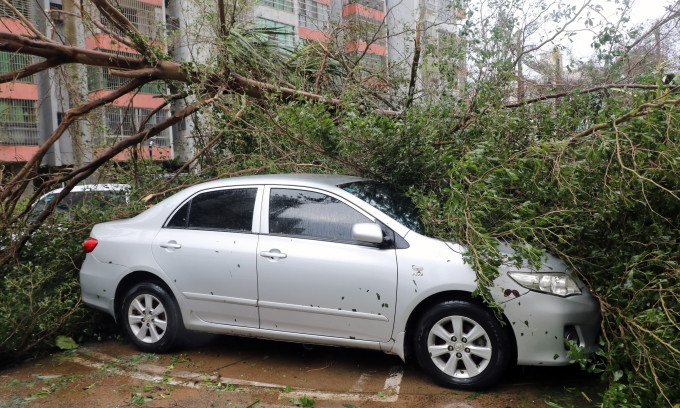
point(377, 33)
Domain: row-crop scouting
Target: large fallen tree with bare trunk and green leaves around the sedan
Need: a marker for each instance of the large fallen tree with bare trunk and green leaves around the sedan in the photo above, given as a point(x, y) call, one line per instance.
point(585, 168)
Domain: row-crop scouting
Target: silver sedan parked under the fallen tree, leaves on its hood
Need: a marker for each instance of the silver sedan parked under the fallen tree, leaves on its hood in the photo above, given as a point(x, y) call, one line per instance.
point(332, 260)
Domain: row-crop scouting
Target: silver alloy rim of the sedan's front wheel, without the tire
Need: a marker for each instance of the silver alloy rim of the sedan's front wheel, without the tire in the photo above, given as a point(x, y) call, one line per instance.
point(459, 347)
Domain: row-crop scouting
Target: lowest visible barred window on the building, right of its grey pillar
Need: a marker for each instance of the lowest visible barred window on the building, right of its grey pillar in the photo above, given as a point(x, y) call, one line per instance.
point(125, 121)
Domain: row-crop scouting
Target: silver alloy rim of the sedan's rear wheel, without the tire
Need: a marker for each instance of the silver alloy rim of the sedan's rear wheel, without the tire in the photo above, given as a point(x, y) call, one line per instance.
point(147, 318)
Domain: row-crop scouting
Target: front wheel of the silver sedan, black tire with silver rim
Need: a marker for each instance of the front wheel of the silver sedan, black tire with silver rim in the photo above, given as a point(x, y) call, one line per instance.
point(462, 345)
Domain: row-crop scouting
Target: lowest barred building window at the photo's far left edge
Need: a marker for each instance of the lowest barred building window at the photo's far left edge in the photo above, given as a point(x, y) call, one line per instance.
point(18, 122)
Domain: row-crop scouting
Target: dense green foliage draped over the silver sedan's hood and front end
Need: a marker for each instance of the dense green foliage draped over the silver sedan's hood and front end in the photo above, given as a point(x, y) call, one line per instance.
point(608, 205)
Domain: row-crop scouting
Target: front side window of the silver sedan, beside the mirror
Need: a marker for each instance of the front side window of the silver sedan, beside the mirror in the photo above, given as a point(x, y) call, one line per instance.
point(311, 215)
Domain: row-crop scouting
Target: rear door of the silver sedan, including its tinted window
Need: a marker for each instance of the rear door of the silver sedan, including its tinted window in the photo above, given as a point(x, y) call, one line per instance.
point(207, 249)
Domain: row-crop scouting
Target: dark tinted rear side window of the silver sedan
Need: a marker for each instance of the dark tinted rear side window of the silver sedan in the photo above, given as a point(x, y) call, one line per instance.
point(217, 210)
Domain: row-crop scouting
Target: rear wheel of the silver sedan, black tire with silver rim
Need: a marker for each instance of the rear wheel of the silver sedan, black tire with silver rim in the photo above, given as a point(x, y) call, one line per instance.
point(151, 317)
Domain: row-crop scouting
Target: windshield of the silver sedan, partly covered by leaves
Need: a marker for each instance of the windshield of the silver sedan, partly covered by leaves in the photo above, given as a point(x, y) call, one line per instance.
point(387, 200)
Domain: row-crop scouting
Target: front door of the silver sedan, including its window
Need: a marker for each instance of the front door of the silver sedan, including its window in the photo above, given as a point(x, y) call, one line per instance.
point(313, 278)
